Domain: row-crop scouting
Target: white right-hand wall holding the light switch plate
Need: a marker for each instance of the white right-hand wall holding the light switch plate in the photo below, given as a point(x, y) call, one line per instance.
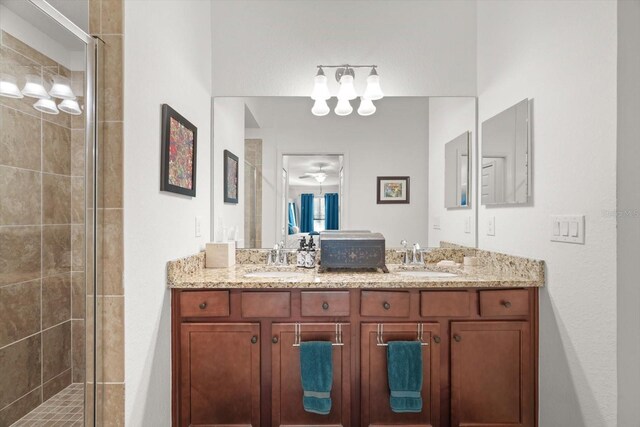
point(563, 55)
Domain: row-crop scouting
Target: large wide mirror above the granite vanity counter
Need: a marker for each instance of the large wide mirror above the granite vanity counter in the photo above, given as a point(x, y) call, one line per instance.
point(302, 174)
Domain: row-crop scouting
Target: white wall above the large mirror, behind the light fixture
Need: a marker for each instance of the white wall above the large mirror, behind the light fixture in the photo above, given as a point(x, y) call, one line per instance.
point(271, 48)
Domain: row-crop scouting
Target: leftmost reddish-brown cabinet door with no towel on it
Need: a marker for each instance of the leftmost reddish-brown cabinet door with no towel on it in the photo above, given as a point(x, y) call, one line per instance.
point(220, 378)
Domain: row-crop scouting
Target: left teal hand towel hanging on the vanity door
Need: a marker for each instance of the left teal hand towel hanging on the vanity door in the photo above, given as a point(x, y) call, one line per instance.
point(316, 372)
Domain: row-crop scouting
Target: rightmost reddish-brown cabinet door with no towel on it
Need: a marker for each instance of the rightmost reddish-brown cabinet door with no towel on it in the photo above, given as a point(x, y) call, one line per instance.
point(491, 374)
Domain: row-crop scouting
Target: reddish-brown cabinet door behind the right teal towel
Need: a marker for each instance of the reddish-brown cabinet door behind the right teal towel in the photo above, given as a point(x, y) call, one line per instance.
point(375, 393)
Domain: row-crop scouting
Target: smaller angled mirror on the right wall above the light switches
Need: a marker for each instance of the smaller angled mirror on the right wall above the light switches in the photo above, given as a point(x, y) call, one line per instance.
point(506, 167)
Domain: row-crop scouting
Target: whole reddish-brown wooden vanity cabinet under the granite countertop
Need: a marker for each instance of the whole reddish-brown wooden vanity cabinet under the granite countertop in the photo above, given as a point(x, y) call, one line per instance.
point(234, 362)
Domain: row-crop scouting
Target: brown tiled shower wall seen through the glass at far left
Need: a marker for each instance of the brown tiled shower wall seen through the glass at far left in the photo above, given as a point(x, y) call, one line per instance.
point(41, 240)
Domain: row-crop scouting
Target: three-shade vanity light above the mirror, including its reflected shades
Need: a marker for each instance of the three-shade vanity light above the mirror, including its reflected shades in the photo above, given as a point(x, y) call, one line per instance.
point(345, 76)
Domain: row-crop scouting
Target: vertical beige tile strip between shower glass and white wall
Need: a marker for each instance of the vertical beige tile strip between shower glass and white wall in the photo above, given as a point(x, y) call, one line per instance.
point(105, 21)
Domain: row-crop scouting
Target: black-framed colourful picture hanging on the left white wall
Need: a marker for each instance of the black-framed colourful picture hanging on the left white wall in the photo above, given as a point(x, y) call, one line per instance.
point(178, 169)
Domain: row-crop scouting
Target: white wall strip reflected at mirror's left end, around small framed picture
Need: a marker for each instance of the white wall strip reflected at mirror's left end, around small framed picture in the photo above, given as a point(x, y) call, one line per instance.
point(228, 131)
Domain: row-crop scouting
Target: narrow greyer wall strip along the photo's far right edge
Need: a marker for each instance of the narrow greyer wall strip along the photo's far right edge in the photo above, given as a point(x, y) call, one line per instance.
point(628, 179)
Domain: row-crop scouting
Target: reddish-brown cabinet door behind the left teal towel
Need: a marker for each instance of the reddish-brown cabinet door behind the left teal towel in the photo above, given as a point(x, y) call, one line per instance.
point(286, 385)
